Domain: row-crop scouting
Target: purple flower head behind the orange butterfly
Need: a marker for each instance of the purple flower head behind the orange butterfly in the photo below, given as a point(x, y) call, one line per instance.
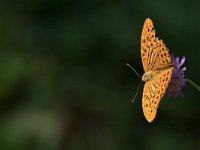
point(178, 78)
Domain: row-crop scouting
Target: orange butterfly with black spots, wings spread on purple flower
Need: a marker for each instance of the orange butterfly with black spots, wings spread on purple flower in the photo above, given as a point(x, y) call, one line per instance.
point(158, 68)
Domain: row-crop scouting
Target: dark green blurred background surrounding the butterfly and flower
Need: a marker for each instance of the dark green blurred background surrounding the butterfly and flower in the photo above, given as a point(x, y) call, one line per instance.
point(64, 83)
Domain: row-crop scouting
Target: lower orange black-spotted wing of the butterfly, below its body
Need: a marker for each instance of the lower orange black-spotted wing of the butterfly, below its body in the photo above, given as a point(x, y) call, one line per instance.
point(153, 92)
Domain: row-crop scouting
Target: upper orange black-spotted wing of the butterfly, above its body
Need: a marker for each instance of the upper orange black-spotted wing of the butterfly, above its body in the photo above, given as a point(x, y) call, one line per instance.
point(154, 53)
